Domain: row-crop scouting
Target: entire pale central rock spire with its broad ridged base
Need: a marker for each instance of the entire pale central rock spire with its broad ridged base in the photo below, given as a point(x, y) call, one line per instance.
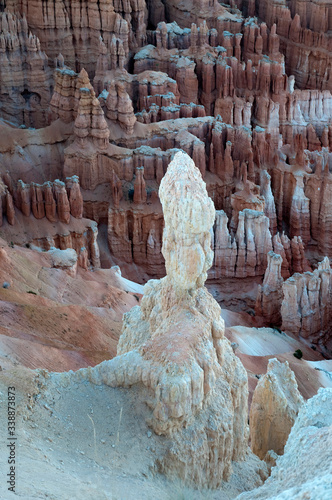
point(174, 344)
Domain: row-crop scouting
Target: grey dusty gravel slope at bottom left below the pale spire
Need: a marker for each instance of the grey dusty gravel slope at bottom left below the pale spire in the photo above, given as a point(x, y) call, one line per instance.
point(80, 441)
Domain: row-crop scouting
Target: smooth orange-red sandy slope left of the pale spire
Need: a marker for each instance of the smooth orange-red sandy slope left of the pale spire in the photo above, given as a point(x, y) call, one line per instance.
point(49, 319)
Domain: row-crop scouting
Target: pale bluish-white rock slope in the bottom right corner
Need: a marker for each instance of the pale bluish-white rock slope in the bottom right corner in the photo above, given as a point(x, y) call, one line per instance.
point(305, 469)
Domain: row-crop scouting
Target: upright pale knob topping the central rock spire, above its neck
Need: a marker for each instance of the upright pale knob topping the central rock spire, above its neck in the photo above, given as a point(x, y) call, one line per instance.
point(189, 215)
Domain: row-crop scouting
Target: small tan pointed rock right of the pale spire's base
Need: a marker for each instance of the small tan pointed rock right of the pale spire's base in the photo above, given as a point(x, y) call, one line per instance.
point(275, 404)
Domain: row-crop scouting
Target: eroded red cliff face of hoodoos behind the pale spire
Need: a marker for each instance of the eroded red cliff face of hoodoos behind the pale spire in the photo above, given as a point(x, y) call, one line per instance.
point(248, 98)
